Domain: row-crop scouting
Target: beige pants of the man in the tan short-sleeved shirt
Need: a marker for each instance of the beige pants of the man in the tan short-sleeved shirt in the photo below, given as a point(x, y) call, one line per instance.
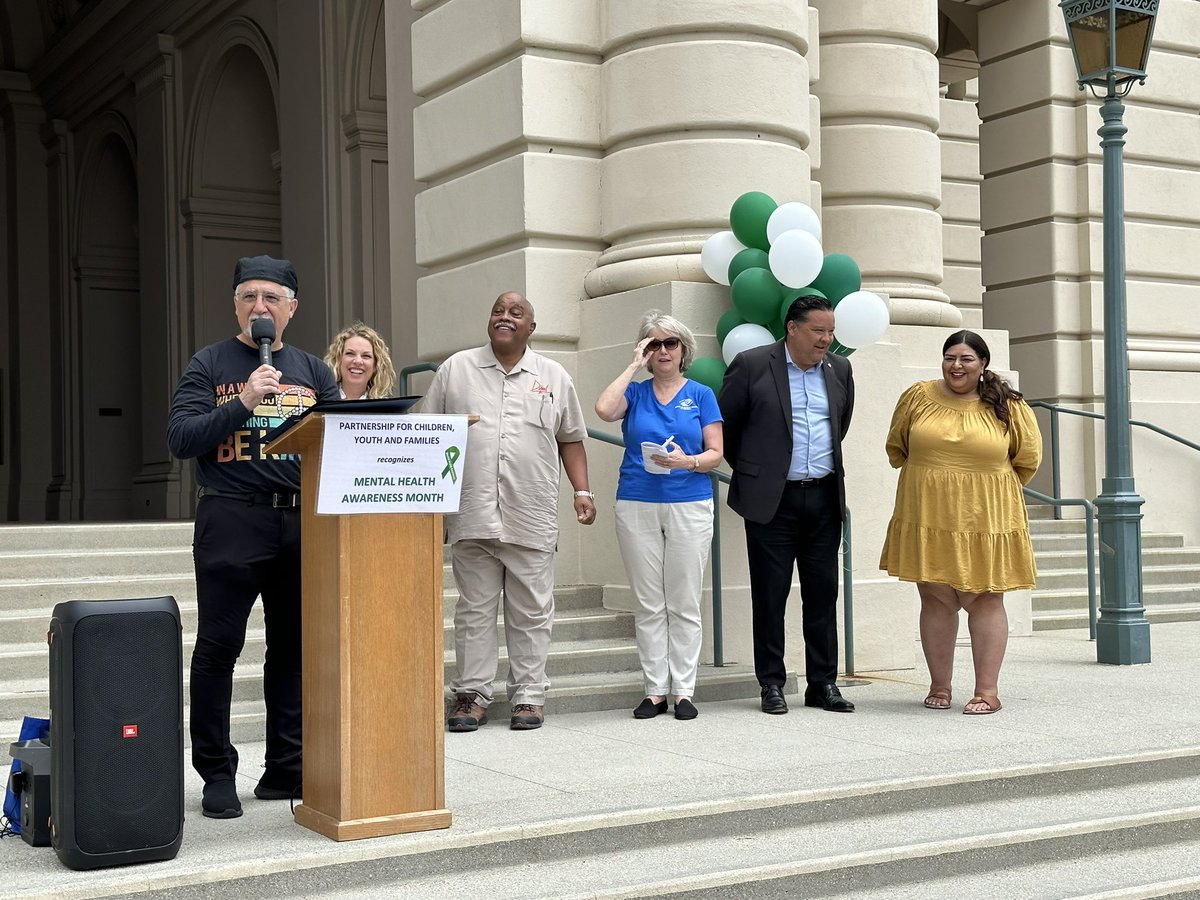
point(483, 569)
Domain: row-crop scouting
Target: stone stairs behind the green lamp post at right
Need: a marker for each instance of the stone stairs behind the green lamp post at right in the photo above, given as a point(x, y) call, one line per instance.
point(1171, 574)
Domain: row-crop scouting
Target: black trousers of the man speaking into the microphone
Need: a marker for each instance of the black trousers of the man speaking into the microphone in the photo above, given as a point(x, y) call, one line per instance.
point(243, 551)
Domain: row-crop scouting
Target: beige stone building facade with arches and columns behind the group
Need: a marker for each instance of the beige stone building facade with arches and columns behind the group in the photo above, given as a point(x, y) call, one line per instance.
point(417, 159)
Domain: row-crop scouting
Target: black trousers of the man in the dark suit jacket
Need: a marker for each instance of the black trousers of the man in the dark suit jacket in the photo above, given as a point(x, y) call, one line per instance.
point(806, 533)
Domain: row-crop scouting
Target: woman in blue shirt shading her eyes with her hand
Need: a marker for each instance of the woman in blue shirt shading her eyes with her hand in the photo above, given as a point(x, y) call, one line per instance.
point(665, 507)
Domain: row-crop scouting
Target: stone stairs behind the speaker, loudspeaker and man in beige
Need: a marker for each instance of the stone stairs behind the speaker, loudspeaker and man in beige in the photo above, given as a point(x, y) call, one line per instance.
point(593, 661)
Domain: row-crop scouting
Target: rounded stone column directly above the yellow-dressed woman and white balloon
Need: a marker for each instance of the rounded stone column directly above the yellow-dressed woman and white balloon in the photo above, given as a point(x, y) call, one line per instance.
point(881, 158)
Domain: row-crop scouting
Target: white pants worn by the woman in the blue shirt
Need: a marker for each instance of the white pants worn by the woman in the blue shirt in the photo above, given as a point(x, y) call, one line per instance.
point(665, 548)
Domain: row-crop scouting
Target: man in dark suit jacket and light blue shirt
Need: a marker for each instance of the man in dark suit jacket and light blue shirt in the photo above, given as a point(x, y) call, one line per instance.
point(787, 410)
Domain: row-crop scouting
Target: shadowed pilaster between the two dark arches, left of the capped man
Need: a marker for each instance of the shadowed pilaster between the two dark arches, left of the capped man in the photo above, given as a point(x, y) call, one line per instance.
point(163, 488)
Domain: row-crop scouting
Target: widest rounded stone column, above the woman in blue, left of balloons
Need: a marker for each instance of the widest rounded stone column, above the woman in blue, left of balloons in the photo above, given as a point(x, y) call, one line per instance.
point(703, 104)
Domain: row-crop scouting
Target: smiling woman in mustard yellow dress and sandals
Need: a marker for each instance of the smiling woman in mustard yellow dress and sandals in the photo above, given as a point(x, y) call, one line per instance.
point(964, 443)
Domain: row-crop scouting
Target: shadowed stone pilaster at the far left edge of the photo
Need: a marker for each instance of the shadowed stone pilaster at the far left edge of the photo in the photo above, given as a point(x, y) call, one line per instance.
point(29, 323)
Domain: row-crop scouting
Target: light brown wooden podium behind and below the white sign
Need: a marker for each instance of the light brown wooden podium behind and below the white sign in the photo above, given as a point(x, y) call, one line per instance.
point(374, 656)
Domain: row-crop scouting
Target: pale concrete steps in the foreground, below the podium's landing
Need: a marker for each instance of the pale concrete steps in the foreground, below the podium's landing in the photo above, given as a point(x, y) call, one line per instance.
point(1077, 830)
